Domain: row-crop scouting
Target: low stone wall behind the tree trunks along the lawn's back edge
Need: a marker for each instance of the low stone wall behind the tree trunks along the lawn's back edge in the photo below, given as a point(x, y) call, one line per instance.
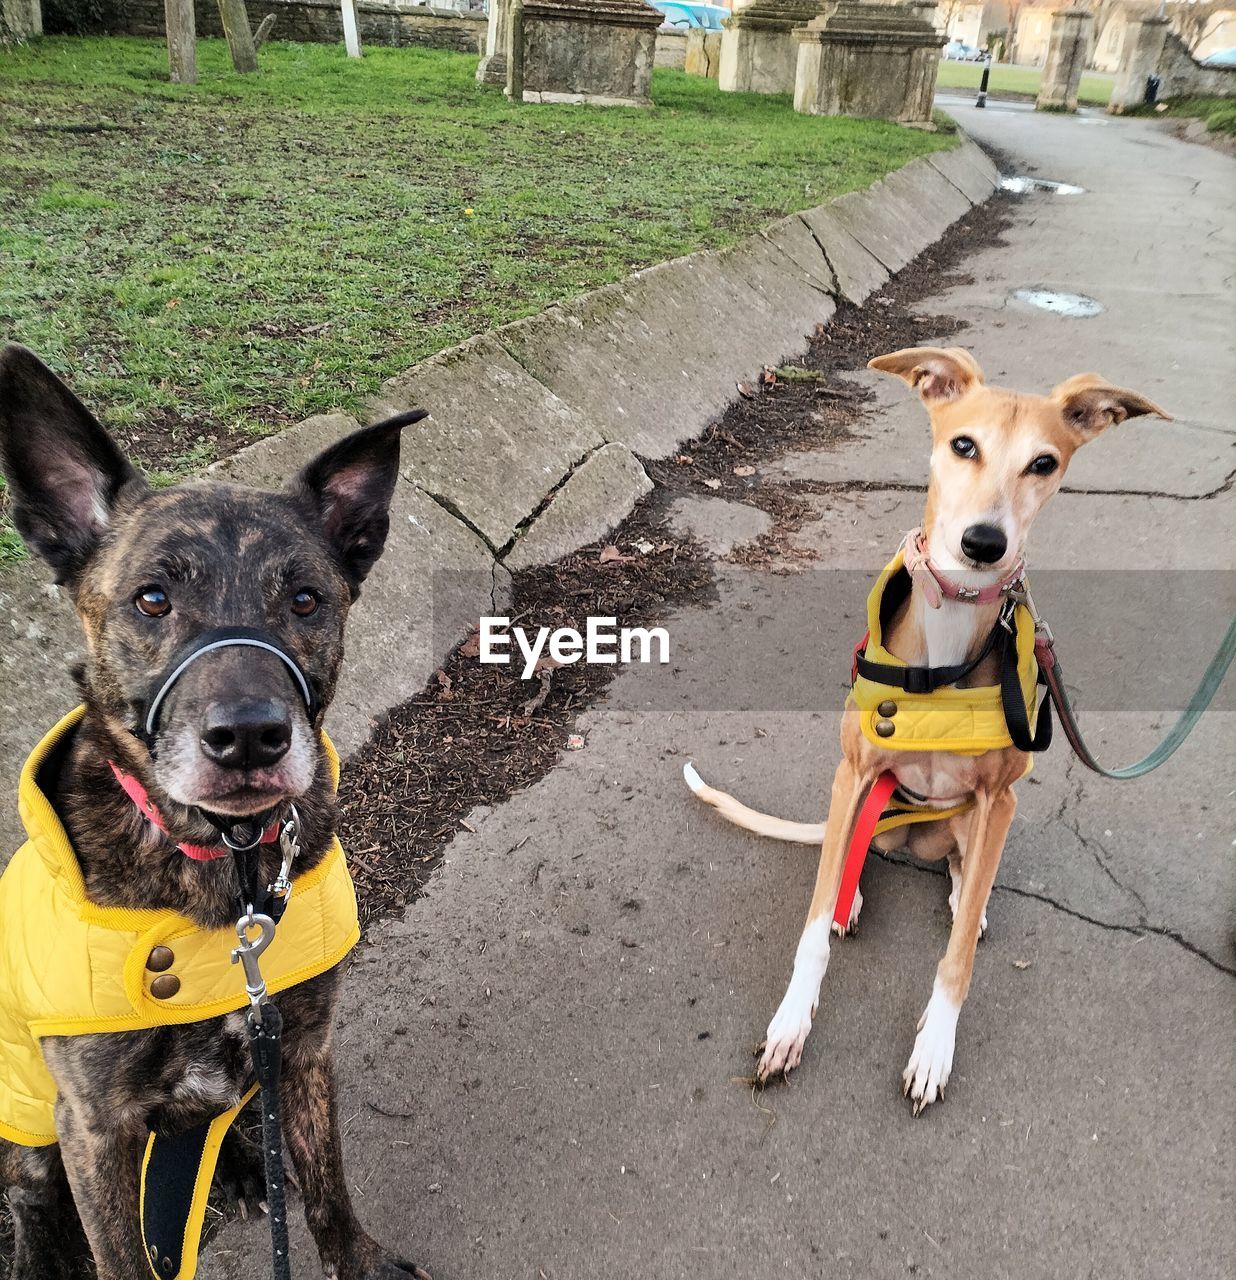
point(383, 22)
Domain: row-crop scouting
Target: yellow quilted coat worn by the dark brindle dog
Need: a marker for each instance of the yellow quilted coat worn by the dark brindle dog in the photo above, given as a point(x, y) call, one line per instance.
point(72, 968)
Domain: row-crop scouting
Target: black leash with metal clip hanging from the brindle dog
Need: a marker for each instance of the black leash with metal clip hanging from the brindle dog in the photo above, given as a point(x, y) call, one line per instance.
point(264, 1021)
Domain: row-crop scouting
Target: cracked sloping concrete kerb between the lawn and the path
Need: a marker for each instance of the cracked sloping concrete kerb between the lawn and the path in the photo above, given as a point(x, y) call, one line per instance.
point(533, 447)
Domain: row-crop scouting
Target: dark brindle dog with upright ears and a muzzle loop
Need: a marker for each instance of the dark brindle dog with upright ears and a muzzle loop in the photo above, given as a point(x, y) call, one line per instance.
point(148, 573)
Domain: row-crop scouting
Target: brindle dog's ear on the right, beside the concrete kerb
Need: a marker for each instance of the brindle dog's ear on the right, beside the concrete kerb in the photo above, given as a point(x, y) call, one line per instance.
point(350, 487)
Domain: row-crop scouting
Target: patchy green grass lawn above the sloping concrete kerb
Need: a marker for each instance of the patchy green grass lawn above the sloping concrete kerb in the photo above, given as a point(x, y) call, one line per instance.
point(223, 259)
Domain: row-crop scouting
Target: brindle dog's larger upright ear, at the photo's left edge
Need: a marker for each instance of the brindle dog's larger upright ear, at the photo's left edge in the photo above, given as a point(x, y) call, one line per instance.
point(65, 472)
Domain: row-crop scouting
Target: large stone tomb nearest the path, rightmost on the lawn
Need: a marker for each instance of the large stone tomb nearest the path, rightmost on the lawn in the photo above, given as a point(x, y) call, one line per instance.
point(868, 60)
